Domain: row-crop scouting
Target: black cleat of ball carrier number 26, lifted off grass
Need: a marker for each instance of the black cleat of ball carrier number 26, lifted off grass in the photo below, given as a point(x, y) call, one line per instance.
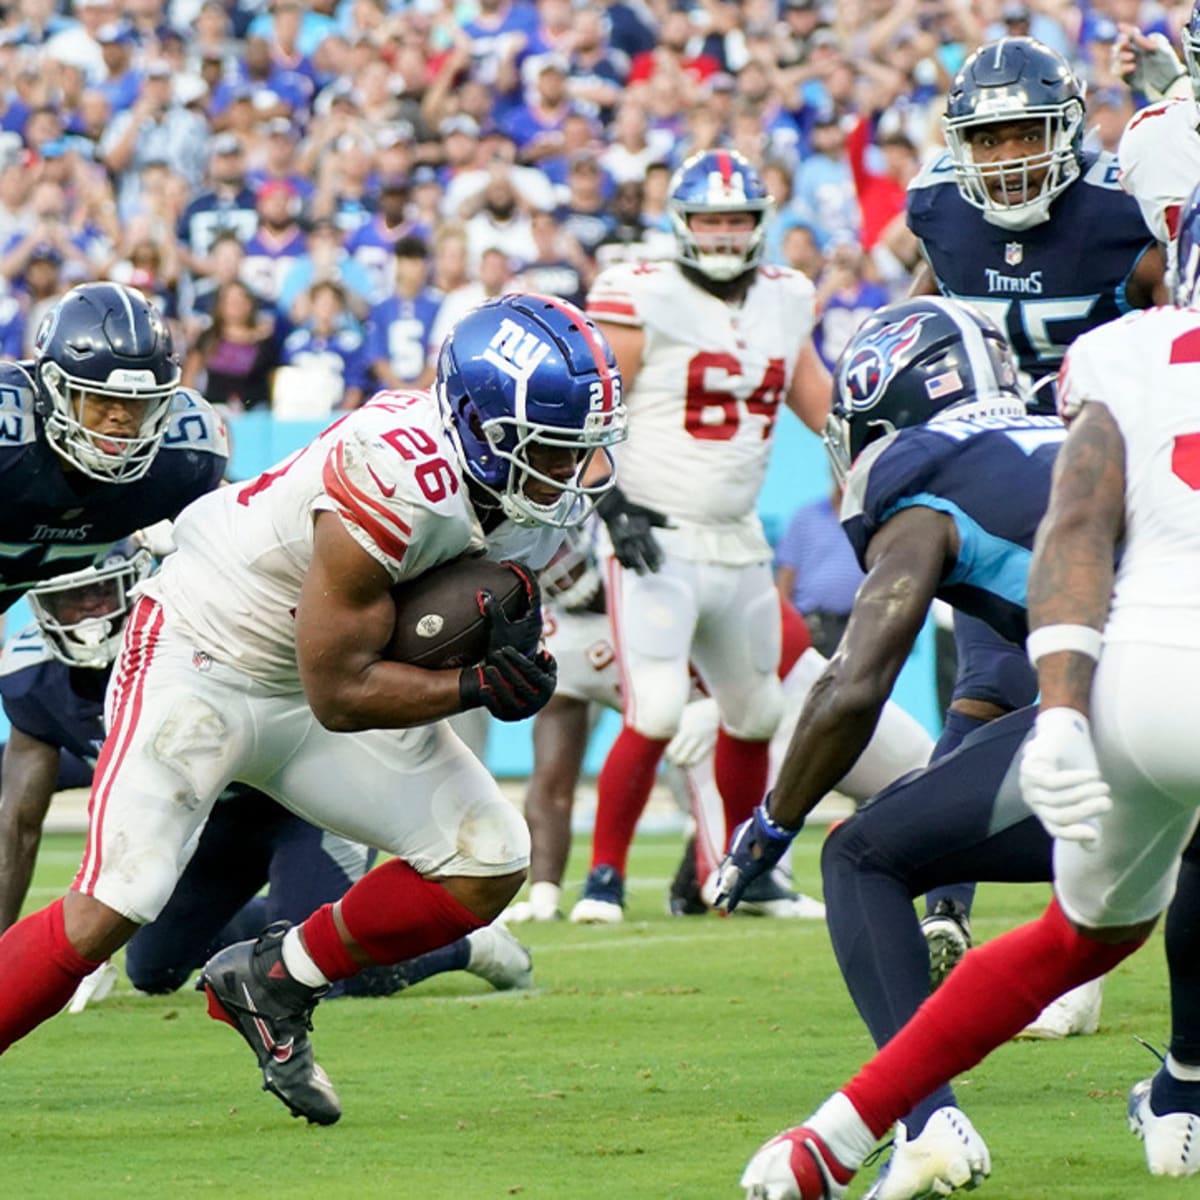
point(250, 989)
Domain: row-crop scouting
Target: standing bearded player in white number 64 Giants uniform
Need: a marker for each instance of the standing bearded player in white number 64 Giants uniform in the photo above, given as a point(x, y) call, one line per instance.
point(710, 346)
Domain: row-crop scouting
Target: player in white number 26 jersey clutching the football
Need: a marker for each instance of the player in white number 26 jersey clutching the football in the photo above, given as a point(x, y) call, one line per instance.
point(257, 655)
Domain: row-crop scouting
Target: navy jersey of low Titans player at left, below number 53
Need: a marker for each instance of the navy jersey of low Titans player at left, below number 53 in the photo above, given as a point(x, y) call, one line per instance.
point(40, 698)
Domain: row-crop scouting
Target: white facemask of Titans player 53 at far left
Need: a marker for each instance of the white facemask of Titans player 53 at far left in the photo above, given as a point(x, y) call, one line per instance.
point(106, 458)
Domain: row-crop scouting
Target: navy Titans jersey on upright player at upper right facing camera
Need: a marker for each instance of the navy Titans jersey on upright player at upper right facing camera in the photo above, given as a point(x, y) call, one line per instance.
point(1043, 286)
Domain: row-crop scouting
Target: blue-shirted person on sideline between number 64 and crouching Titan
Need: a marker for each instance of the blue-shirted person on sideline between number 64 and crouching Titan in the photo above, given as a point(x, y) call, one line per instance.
point(817, 569)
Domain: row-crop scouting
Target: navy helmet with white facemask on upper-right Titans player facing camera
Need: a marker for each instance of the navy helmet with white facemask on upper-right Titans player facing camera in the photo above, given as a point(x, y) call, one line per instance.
point(1016, 80)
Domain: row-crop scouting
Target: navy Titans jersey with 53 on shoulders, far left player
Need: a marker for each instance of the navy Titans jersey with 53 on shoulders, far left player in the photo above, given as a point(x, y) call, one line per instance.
point(53, 521)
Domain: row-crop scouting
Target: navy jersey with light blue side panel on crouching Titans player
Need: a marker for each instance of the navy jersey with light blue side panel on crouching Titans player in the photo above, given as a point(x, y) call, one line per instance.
point(992, 476)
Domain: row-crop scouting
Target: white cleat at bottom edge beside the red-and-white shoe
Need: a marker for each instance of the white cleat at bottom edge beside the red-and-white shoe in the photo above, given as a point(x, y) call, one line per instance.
point(947, 1156)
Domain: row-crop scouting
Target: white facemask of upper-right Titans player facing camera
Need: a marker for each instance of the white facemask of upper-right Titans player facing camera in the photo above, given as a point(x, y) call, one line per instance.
point(1024, 203)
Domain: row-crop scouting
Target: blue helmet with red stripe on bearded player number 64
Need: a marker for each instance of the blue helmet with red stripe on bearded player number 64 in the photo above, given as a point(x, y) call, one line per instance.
point(719, 182)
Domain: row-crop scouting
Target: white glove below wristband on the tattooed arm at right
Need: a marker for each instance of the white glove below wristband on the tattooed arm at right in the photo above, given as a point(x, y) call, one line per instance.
point(1060, 778)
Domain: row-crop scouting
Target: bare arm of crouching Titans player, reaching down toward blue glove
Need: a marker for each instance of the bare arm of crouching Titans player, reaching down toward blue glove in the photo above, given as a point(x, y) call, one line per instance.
point(907, 562)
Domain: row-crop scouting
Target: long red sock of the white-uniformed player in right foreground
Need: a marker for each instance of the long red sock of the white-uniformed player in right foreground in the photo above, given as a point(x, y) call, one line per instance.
point(989, 998)
